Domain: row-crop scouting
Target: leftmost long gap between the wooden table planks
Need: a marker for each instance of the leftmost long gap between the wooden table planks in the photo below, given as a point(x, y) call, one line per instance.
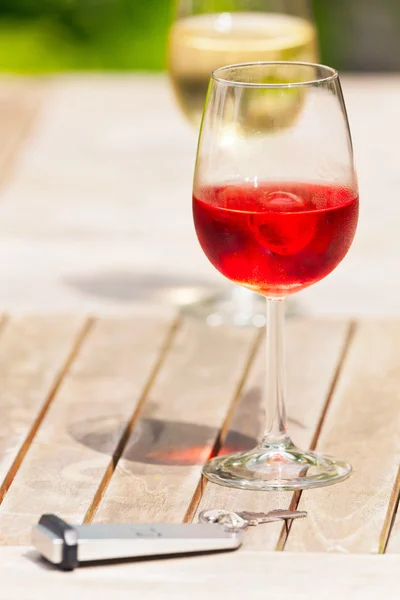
point(13, 470)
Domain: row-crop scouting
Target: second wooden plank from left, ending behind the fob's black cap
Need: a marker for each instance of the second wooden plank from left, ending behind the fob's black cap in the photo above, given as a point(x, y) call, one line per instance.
point(75, 445)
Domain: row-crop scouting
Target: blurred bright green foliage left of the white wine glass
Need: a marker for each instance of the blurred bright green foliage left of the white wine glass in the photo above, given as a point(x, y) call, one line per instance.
point(57, 35)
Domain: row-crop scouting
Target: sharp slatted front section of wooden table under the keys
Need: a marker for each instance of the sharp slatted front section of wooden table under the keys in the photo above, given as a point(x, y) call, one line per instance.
point(111, 419)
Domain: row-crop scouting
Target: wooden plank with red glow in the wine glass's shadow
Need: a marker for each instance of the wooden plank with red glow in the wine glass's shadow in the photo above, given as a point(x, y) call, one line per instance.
point(161, 466)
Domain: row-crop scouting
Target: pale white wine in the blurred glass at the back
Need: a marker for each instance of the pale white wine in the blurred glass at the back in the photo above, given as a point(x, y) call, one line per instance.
point(201, 43)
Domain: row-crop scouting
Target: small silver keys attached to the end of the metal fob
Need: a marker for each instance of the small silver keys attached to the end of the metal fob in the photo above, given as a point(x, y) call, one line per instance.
point(241, 520)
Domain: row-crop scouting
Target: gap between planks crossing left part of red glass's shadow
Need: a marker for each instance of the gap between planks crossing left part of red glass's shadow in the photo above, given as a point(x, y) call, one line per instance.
point(109, 472)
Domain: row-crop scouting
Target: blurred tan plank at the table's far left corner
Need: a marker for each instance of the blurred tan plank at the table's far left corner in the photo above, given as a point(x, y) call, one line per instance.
point(20, 101)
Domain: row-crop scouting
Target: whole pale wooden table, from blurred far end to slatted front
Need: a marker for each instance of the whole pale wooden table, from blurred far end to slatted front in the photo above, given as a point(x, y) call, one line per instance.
point(110, 417)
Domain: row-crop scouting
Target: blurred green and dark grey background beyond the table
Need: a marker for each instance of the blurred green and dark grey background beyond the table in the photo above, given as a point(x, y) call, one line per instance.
point(60, 35)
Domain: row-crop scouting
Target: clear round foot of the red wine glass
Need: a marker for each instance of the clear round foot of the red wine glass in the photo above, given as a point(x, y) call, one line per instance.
point(276, 467)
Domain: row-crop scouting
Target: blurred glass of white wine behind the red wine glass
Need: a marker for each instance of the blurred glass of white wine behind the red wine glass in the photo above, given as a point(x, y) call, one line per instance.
point(207, 34)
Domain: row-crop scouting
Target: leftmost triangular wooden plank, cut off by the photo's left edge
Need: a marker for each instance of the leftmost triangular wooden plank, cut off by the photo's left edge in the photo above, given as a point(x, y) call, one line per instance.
point(34, 353)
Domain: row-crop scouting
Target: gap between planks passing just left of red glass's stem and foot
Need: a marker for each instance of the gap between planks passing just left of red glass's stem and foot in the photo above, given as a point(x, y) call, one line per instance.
point(196, 498)
